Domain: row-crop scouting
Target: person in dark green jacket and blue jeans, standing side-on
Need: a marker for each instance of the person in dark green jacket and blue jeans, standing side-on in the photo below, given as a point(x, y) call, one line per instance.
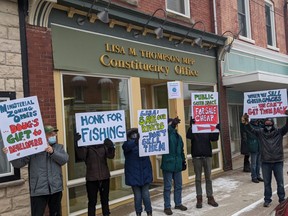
point(171, 166)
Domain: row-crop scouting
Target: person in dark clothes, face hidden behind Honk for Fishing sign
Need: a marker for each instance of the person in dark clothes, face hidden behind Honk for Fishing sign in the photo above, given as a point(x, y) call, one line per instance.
point(97, 173)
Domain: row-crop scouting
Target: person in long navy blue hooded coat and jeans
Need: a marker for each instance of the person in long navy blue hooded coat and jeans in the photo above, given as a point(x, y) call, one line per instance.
point(138, 172)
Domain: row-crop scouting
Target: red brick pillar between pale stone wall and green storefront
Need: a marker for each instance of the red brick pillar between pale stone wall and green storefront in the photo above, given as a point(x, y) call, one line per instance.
point(41, 71)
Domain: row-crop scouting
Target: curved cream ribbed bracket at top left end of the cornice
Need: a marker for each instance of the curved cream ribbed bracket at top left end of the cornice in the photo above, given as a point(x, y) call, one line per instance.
point(39, 12)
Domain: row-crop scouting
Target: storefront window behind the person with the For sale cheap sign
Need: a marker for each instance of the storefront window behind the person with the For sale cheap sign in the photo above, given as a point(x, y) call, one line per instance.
point(187, 90)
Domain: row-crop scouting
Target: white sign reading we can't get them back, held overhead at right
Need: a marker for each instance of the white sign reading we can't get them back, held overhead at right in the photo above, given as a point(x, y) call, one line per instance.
point(265, 104)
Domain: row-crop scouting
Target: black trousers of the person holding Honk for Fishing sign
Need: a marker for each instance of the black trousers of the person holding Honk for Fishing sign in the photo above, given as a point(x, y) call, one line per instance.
point(92, 188)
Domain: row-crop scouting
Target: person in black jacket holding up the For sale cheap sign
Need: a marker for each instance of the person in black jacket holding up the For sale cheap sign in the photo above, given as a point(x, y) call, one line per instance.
point(201, 150)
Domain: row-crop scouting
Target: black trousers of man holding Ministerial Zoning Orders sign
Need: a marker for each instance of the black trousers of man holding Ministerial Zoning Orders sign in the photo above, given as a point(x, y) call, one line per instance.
point(39, 203)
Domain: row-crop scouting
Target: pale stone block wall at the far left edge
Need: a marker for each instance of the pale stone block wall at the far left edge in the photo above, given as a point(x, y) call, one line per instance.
point(14, 197)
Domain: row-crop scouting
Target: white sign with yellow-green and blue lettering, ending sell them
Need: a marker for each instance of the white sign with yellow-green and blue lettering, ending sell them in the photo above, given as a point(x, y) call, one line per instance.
point(153, 130)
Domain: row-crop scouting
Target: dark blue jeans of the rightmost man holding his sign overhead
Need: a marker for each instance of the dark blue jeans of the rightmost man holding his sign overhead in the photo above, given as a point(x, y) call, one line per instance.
point(277, 169)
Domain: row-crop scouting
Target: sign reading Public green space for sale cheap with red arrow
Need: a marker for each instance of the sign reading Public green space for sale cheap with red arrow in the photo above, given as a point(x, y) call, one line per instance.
point(205, 112)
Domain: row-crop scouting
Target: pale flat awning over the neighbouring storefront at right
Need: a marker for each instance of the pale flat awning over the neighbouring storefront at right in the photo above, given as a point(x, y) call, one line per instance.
point(255, 81)
